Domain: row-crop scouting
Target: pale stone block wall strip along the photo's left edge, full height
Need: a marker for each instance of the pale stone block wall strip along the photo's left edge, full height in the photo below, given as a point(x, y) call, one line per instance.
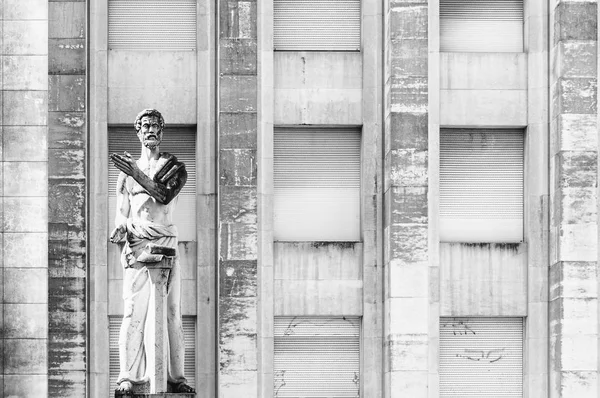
point(24, 103)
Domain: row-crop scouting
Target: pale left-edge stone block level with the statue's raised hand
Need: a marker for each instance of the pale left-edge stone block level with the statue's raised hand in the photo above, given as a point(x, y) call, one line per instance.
point(25, 179)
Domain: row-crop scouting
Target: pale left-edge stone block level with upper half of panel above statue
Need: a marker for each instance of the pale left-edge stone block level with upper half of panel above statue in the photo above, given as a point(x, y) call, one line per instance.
point(25, 72)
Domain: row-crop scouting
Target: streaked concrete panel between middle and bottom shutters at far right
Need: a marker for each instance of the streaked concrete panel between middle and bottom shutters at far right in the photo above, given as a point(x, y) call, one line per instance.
point(483, 279)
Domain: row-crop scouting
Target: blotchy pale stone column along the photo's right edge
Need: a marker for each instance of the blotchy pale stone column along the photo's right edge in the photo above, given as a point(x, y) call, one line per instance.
point(573, 314)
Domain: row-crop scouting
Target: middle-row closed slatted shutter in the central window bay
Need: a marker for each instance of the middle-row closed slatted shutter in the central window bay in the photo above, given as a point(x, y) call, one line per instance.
point(317, 184)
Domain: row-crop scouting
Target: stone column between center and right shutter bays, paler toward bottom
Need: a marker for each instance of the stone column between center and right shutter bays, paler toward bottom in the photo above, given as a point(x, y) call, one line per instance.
point(406, 257)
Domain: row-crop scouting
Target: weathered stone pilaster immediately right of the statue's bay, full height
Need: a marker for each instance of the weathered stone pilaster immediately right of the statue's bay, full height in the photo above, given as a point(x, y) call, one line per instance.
point(238, 233)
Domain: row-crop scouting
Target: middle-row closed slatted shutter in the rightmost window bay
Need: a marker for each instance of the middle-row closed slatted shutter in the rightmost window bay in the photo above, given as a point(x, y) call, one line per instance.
point(481, 185)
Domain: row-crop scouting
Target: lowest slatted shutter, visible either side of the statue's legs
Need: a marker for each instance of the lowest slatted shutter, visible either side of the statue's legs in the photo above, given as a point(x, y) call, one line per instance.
point(189, 334)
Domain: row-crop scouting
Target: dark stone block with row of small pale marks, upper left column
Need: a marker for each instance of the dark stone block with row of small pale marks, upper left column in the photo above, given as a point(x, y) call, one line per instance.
point(66, 56)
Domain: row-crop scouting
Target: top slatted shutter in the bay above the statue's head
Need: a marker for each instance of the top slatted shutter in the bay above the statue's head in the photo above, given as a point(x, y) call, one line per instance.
point(152, 25)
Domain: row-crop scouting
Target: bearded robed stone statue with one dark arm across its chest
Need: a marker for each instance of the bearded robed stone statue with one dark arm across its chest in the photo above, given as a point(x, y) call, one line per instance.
point(146, 196)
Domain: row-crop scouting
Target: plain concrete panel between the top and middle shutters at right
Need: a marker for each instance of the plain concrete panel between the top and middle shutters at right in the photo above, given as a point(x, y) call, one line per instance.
point(483, 89)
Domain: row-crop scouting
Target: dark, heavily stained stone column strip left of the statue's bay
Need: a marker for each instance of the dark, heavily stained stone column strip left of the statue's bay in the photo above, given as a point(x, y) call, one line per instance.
point(67, 275)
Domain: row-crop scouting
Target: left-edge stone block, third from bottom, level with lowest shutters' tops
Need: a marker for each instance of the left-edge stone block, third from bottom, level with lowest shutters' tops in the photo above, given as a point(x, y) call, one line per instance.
point(26, 321)
